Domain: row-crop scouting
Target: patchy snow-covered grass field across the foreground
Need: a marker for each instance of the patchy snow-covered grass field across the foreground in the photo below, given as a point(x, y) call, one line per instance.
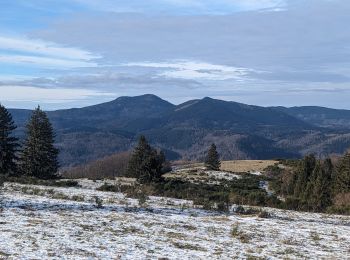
point(39, 222)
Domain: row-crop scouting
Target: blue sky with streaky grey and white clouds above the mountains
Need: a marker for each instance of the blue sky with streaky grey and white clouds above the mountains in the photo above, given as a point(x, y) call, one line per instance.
point(75, 53)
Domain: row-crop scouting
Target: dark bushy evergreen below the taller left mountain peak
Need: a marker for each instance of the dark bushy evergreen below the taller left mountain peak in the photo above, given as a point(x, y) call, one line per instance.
point(146, 164)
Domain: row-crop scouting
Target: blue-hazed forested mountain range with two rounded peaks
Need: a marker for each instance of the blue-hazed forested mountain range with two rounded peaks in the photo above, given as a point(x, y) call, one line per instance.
point(185, 131)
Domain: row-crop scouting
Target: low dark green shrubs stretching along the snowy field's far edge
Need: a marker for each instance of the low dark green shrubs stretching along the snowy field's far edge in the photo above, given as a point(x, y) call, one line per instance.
point(211, 197)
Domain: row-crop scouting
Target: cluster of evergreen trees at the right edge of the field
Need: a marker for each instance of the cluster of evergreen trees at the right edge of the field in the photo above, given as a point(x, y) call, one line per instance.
point(318, 185)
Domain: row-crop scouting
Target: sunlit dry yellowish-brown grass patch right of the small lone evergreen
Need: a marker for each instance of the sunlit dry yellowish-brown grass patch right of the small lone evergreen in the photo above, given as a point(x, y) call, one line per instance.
point(246, 165)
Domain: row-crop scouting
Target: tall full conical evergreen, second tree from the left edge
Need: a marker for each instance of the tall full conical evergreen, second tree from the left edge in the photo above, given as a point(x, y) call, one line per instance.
point(39, 156)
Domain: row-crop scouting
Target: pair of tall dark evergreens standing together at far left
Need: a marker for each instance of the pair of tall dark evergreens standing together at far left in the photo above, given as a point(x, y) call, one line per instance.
point(36, 156)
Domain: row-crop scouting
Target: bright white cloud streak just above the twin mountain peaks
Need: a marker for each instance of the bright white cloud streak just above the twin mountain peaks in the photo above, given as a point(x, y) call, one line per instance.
point(194, 70)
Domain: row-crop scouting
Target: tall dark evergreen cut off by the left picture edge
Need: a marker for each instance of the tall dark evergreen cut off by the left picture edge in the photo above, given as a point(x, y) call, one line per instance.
point(8, 143)
